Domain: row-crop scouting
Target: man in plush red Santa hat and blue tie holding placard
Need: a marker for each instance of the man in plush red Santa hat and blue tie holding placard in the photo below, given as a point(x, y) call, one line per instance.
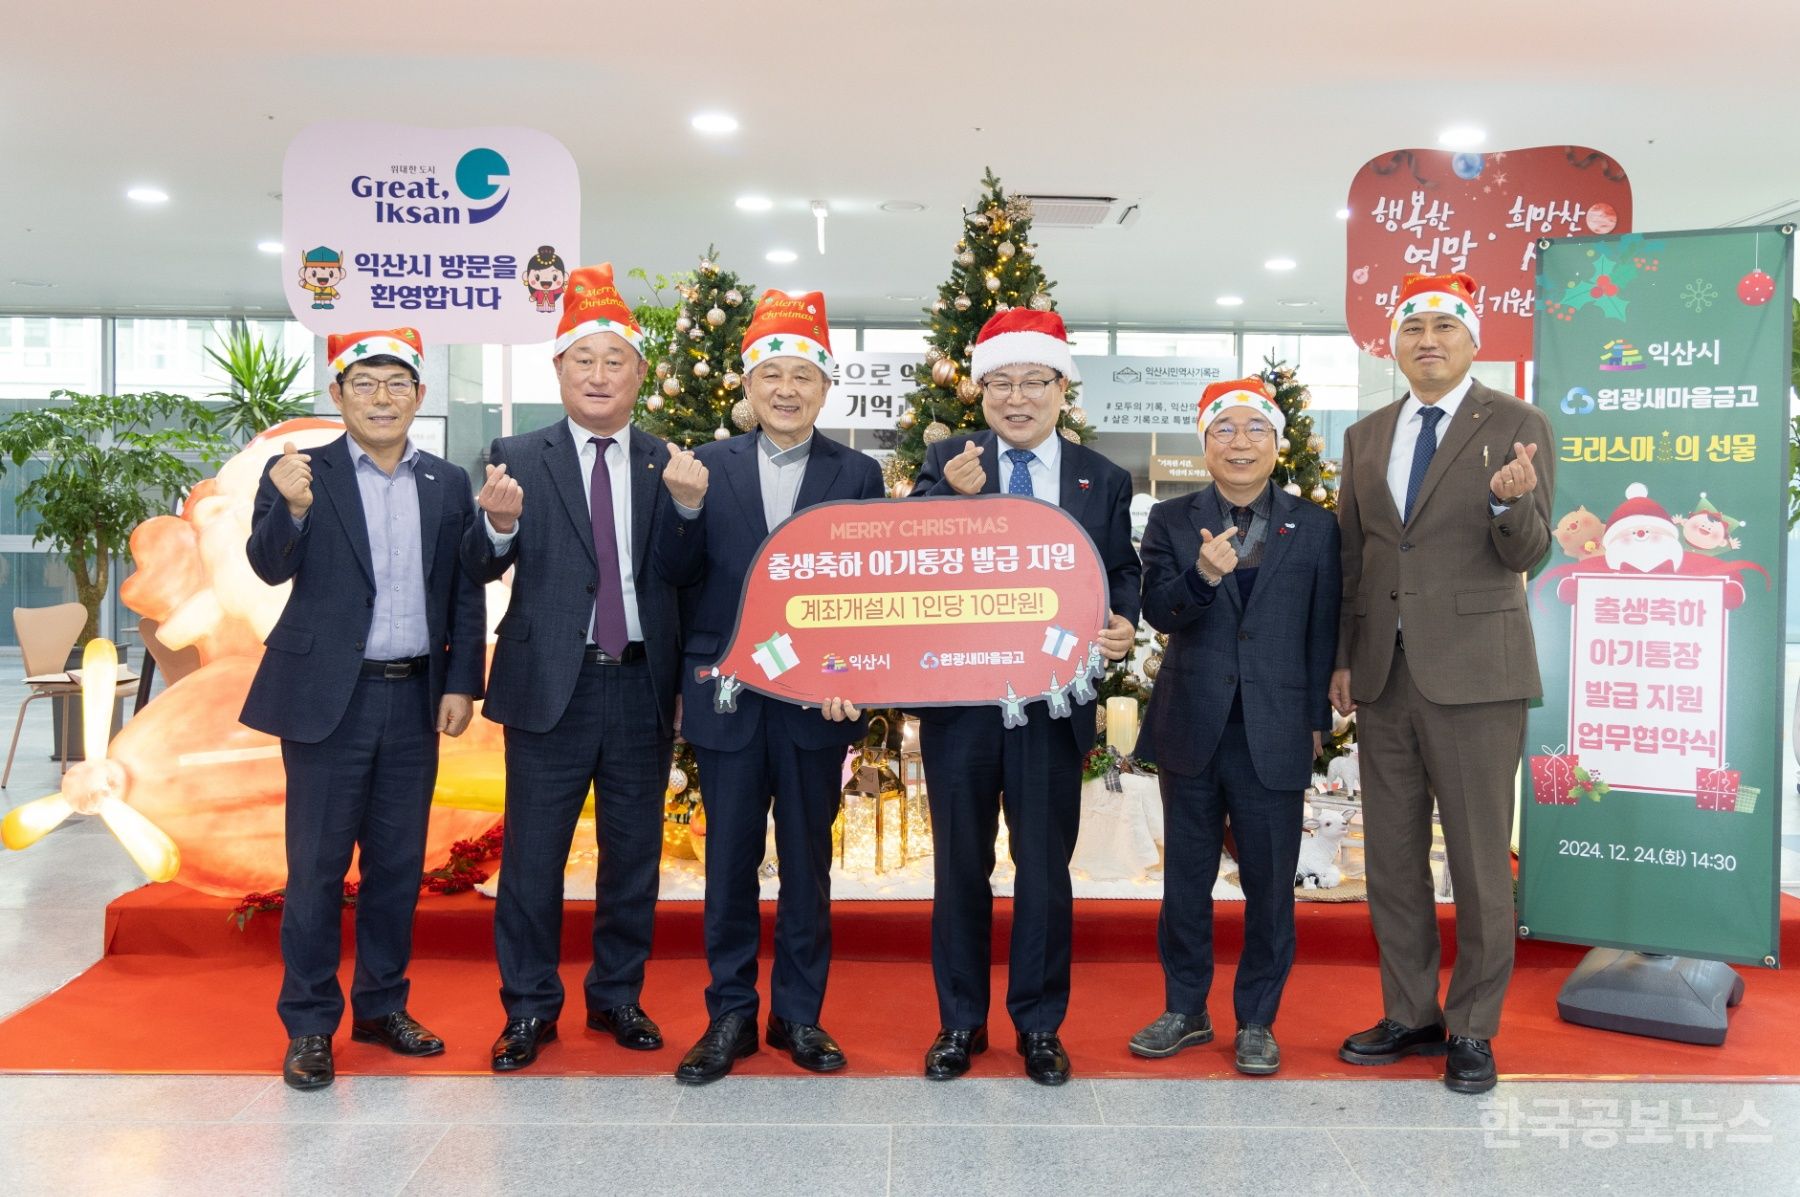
point(976, 766)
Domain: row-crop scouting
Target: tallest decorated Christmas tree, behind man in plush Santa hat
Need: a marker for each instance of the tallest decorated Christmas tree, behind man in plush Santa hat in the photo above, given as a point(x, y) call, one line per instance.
point(994, 271)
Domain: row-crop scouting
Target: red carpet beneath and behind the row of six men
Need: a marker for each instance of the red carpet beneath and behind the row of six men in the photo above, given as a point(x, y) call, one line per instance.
point(181, 991)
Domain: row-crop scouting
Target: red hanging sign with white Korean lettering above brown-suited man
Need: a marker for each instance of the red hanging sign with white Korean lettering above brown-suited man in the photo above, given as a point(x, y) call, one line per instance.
point(1432, 211)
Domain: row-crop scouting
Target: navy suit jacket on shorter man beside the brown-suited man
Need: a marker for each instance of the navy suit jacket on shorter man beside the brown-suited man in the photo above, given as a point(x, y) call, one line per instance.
point(1277, 649)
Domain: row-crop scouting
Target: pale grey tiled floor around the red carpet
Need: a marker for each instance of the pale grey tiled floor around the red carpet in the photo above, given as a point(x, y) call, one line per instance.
point(816, 1137)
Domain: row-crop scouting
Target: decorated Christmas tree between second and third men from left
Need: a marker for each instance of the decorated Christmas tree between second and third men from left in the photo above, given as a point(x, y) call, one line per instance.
point(699, 391)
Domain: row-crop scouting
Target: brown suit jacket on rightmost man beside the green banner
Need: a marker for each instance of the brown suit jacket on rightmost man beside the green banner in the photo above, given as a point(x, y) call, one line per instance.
point(1453, 573)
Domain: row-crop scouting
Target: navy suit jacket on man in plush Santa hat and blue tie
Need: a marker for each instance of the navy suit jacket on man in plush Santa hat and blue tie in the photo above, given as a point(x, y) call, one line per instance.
point(1099, 496)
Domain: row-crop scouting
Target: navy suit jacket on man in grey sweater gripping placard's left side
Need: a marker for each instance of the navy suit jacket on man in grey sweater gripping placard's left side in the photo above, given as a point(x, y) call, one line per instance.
point(710, 559)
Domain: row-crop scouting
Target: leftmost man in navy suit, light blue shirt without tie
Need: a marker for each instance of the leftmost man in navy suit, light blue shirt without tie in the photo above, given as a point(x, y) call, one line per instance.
point(377, 652)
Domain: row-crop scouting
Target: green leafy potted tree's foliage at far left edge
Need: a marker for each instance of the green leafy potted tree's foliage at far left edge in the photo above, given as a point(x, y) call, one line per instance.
point(111, 462)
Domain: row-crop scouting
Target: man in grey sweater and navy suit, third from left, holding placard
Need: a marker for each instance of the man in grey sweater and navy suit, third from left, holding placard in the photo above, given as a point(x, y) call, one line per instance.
point(730, 496)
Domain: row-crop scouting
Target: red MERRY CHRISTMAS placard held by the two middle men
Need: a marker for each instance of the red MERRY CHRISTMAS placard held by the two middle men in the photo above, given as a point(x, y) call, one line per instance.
point(967, 600)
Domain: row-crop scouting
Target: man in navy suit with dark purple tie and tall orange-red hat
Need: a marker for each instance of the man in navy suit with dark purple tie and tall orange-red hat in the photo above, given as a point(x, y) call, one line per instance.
point(584, 674)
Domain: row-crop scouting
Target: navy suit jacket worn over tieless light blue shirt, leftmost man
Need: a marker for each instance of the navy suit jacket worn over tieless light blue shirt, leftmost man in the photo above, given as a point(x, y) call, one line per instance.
point(314, 652)
